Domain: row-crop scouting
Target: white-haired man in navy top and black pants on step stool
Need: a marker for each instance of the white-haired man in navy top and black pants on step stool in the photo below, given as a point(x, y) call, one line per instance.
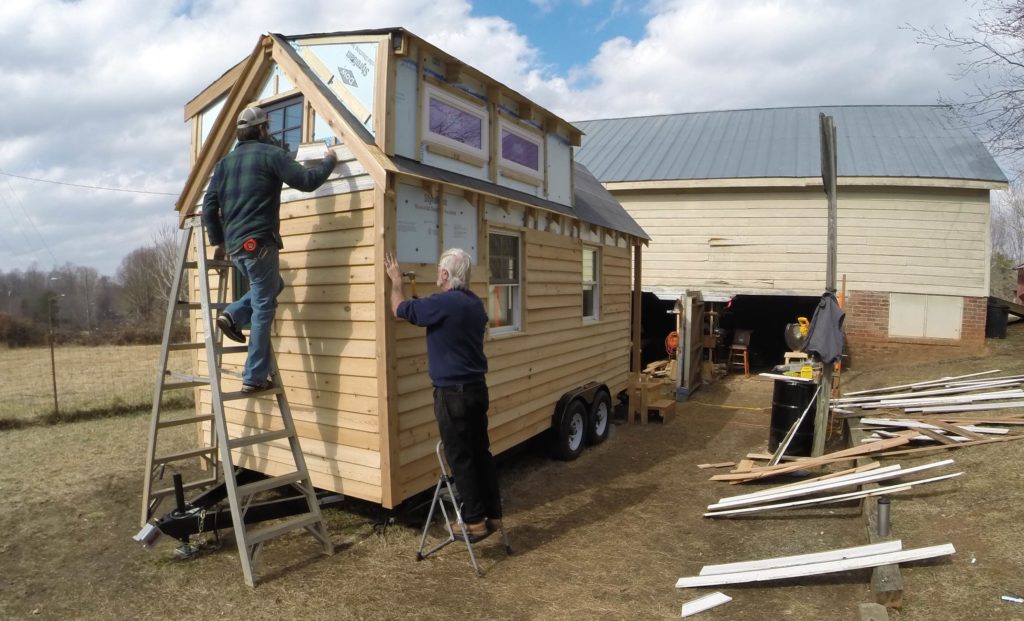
point(456, 320)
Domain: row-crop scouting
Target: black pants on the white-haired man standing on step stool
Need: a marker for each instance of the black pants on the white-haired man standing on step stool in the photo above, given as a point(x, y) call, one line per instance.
point(462, 419)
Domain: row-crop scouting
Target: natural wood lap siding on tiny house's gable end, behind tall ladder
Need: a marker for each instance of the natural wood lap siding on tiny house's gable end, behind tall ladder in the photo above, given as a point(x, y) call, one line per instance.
point(325, 339)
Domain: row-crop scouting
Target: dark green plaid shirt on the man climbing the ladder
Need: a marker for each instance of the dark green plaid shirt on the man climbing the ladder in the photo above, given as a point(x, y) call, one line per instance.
point(244, 198)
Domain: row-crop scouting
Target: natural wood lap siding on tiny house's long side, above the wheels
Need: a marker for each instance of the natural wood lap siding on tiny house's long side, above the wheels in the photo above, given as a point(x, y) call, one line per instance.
point(529, 371)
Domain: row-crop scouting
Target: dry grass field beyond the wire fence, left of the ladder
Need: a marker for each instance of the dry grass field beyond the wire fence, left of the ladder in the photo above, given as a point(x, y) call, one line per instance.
point(89, 380)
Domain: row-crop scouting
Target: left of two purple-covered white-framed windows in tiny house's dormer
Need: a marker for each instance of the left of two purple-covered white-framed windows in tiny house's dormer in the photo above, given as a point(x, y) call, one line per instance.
point(454, 122)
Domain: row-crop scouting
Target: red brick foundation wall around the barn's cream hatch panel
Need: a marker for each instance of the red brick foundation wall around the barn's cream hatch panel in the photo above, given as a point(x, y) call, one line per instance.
point(867, 328)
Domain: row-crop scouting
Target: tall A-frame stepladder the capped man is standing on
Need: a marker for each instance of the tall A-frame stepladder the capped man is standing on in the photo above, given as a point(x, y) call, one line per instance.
point(218, 458)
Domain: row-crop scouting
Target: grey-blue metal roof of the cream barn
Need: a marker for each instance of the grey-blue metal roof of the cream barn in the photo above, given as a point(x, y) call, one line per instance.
point(873, 141)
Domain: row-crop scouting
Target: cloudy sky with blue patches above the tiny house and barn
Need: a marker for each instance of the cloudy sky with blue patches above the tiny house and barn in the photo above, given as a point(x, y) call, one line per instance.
point(94, 148)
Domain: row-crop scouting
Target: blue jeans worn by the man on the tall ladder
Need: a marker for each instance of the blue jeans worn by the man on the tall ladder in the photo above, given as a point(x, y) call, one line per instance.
point(263, 269)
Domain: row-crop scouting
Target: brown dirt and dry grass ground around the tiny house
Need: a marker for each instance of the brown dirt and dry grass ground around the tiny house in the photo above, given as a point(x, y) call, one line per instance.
point(604, 537)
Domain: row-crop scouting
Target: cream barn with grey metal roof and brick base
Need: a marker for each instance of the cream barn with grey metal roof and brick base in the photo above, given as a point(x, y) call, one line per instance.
point(736, 205)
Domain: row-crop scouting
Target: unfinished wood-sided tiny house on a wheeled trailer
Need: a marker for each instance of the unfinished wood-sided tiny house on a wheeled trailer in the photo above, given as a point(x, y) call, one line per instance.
point(433, 154)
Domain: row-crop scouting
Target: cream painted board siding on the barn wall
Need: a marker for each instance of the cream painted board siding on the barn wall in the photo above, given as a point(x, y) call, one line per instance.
point(774, 241)
